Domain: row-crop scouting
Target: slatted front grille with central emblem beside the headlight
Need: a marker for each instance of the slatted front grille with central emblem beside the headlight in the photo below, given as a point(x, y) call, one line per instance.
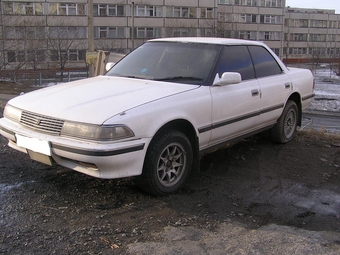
point(41, 123)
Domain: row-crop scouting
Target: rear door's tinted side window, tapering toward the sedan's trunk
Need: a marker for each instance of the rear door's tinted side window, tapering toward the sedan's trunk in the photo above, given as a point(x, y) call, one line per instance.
point(264, 62)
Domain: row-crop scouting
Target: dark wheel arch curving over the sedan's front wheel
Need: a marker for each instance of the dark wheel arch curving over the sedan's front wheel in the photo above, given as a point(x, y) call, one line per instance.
point(189, 131)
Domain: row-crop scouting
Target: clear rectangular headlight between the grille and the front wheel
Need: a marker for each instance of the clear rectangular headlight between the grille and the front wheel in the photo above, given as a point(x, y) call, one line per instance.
point(96, 132)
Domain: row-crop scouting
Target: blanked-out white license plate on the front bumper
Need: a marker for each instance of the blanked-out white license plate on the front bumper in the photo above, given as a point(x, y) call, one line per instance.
point(34, 144)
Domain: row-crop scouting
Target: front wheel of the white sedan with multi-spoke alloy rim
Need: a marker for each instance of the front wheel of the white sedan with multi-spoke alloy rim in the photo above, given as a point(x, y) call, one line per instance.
point(167, 163)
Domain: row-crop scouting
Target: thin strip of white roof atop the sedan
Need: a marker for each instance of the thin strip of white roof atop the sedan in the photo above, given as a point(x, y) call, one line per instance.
point(211, 40)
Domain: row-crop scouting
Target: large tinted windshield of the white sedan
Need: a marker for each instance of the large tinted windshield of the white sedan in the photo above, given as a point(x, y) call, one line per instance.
point(189, 63)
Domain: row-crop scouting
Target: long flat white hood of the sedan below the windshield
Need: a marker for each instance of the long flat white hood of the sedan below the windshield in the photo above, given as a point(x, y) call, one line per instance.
point(95, 100)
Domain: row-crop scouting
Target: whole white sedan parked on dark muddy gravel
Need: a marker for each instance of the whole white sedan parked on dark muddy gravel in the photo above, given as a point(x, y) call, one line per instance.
point(155, 111)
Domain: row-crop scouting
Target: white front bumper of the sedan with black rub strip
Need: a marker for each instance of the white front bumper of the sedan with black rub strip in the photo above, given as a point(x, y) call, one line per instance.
point(107, 160)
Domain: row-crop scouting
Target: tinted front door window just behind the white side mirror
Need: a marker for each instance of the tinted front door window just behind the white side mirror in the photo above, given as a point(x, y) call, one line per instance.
point(236, 59)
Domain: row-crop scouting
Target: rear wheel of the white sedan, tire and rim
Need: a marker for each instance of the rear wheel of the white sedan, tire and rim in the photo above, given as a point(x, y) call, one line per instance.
point(285, 128)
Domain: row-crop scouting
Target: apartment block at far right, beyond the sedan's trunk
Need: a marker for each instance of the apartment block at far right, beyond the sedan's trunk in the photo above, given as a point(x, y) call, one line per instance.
point(311, 35)
